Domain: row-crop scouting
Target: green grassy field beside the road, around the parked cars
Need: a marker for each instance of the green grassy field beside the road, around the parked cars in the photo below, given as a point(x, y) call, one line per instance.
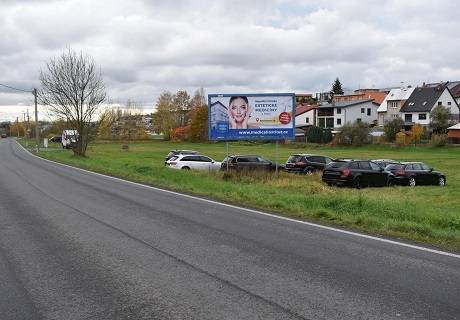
point(428, 214)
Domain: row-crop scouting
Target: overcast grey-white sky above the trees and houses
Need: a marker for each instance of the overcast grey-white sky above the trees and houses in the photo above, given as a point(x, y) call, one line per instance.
point(146, 47)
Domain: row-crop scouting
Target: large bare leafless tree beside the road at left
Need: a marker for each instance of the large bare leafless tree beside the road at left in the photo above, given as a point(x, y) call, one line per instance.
point(73, 90)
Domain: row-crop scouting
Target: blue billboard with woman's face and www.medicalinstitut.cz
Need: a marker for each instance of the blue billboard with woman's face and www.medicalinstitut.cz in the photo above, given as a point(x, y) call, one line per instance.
point(268, 116)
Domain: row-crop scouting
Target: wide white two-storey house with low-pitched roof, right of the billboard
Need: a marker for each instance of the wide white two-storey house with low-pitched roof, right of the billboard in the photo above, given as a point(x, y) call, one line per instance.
point(336, 114)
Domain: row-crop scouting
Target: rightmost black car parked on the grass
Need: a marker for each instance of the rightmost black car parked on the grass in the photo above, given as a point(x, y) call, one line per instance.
point(415, 173)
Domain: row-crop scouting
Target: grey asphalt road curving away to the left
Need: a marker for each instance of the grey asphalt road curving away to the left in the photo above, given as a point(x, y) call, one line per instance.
point(75, 245)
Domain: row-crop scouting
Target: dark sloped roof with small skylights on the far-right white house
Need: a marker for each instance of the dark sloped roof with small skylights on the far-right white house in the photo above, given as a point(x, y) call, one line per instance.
point(423, 99)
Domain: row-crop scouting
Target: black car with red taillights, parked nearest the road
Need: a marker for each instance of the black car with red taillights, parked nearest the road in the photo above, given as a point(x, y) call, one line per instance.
point(356, 173)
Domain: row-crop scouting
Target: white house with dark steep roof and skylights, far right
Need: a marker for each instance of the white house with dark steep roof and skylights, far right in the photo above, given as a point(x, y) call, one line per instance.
point(423, 100)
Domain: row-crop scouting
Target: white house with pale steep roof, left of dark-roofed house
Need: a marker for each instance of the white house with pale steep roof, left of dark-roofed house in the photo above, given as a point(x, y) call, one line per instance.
point(390, 108)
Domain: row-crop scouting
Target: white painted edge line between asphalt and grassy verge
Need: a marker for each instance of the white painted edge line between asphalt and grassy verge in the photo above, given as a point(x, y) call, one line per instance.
point(360, 235)
